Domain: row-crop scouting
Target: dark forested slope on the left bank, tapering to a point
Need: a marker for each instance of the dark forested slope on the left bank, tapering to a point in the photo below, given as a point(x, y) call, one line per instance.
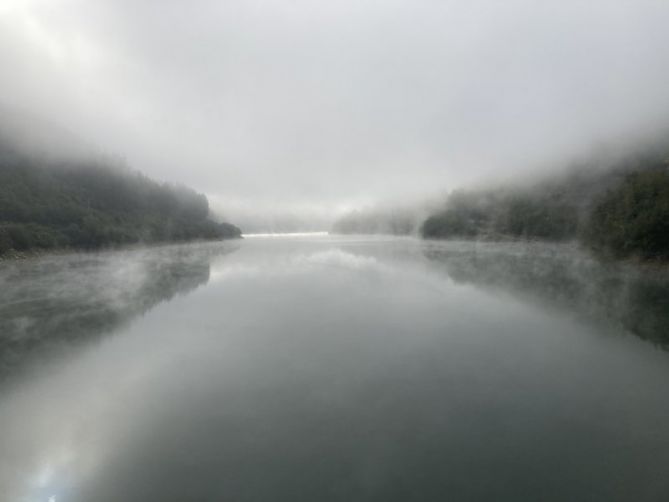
point(45, 205)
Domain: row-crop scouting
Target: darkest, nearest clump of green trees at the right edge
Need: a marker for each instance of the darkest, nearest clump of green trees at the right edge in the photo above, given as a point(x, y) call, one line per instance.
point(633, 218)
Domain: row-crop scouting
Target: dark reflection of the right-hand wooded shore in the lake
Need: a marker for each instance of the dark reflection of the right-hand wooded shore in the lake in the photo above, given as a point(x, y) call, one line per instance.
point(634, 297)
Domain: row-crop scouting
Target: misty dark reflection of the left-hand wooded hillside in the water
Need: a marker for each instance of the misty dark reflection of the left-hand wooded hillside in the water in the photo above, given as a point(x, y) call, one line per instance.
point(55, 302)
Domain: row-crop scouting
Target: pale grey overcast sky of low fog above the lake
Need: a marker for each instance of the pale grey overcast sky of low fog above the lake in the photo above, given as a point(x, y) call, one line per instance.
point(326, 105)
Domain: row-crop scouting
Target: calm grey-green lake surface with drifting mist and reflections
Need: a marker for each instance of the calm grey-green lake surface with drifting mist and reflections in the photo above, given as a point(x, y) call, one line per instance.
point(333, 369)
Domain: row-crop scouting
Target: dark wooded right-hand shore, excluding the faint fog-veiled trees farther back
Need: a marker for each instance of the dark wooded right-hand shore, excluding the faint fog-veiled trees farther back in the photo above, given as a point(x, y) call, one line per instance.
point(621, 210)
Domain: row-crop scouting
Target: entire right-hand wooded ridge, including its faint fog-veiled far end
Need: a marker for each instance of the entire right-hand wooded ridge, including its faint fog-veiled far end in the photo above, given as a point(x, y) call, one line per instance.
point(617, 206)
